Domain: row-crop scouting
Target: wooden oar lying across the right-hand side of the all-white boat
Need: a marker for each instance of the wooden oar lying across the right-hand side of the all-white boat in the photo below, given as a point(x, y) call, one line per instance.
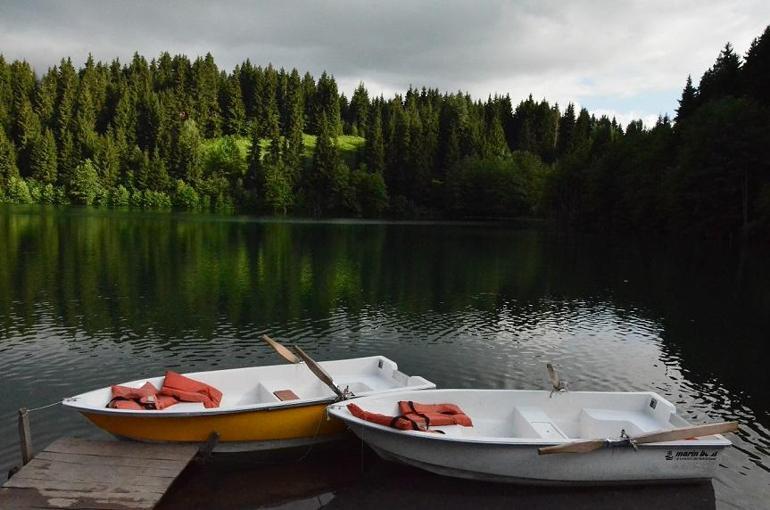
point(650, 437)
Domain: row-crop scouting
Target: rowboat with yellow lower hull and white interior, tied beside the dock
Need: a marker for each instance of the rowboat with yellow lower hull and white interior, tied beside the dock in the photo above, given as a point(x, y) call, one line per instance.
point(252, 414)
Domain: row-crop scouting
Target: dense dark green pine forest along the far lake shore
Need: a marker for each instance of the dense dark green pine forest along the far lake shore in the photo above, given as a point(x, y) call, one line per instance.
point(175, 133)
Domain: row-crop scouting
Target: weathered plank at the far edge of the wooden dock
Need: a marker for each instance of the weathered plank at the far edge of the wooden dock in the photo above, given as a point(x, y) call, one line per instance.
point(123, 449)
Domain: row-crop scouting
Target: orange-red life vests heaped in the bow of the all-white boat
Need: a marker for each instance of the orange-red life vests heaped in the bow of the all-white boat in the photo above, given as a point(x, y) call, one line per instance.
point(416, 416)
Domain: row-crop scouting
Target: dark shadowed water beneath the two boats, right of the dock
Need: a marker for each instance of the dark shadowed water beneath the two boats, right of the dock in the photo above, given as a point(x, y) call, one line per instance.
point(352, 479)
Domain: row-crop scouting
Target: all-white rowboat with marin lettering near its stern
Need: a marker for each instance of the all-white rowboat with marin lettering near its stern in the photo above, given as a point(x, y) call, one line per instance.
point(511, 426)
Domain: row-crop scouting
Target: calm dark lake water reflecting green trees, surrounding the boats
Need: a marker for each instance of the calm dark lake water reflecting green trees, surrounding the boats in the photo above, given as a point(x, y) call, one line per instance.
point(89, 298)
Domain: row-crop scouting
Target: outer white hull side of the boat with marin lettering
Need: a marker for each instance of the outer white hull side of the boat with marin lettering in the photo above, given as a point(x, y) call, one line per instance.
point(522, 464)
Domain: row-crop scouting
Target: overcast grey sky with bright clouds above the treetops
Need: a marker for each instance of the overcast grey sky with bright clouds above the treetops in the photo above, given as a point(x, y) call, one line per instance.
point(625, 58)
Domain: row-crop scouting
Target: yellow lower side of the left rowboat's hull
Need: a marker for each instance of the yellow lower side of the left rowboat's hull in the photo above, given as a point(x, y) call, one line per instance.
point(267, 425)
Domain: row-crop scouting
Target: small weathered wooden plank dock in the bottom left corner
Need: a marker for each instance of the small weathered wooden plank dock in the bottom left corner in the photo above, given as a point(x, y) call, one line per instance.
point(79, 473)
